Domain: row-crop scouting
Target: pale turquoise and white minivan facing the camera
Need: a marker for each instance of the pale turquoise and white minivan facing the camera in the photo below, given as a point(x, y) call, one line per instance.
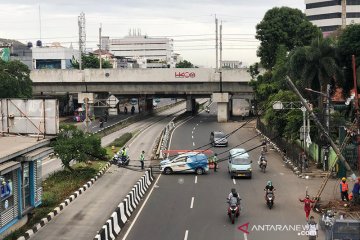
point(239, 164)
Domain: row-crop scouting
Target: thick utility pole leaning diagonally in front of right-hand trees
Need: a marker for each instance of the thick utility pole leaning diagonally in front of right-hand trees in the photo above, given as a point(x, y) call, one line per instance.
point(317, 122)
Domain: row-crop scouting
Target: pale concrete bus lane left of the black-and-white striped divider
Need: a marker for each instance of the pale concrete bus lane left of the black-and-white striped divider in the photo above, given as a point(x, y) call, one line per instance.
point(86, 215)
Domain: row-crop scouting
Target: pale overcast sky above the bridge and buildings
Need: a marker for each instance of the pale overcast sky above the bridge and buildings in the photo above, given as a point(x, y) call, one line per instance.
point(19, 19)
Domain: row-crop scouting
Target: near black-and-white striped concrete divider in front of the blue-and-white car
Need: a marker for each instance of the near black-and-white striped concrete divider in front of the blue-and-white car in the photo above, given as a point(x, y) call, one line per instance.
point(111, 229)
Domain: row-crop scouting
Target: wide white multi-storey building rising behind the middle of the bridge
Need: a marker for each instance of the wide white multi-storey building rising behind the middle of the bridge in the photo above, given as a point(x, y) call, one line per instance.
point(149, 52)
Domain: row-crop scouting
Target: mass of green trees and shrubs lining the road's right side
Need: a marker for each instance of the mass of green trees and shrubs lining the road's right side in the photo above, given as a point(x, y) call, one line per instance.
point(292, 46)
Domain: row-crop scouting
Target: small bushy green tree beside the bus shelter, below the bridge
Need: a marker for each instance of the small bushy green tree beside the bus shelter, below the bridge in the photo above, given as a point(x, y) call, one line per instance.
point(74, 144)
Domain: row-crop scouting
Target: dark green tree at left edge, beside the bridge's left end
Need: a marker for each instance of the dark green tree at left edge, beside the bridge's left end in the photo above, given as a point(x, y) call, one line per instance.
point(15, 80)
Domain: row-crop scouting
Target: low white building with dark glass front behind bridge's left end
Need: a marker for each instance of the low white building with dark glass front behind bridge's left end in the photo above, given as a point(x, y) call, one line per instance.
point(53, 57)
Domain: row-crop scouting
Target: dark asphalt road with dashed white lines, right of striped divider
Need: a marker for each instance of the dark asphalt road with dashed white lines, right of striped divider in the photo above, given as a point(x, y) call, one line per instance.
point(185, 206)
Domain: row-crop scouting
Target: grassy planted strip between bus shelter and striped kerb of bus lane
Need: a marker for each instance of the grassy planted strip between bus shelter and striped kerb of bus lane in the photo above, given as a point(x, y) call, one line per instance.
point(56, 188)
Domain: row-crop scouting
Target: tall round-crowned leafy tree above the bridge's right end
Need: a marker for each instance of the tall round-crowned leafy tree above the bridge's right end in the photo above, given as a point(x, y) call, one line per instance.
point(283, 26)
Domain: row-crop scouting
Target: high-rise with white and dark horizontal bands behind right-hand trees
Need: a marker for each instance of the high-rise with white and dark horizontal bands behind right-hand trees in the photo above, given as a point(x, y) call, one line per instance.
point(326, 14)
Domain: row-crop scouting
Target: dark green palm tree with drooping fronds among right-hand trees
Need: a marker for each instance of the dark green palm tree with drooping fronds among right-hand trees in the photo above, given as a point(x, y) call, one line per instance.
point(315, 65)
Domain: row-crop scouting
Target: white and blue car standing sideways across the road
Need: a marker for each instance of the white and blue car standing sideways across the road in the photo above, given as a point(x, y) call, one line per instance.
point(187, 162)
